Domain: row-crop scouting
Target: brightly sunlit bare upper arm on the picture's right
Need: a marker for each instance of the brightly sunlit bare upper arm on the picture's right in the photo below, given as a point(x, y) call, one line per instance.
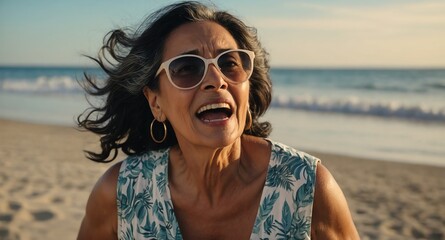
point(331, 218)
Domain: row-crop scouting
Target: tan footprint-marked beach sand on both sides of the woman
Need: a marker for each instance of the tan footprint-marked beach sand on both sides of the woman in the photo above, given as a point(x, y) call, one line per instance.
point(45, 181)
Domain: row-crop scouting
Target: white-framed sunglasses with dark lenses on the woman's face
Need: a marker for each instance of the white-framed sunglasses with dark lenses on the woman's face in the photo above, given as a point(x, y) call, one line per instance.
point(188, 71)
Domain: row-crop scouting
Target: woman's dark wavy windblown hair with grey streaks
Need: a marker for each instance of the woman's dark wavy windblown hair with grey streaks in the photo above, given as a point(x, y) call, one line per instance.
point(130, 60)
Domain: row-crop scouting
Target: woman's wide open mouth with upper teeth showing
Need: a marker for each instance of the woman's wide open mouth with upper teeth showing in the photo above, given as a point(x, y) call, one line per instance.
point(215, 112)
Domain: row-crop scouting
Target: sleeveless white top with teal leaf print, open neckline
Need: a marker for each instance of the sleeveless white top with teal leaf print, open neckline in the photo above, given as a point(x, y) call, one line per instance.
point(146, 211)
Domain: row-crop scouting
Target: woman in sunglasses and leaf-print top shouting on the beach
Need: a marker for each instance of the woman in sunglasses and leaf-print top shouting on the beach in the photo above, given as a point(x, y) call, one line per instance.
point(183, 100)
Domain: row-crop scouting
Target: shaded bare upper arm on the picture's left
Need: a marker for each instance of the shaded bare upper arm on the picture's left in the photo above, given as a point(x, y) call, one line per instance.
point(100, 220)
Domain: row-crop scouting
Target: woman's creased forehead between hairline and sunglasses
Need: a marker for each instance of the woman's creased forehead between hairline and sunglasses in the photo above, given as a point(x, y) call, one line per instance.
point(206, 38)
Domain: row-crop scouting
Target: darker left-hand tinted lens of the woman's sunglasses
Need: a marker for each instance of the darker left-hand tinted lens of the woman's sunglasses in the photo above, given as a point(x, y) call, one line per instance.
point(186, 72)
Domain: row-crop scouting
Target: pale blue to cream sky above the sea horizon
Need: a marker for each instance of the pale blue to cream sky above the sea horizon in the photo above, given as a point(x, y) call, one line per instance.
point(296, 33)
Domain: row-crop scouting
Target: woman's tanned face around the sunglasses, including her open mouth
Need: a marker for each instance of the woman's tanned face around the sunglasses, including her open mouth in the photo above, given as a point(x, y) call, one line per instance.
point(214, 113)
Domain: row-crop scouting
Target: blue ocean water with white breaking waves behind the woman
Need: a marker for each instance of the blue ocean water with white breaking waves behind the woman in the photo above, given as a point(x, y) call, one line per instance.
point(385, 114)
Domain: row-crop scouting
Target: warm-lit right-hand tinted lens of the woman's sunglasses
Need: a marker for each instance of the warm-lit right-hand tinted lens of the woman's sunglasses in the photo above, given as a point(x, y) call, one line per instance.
point(235, 65)
